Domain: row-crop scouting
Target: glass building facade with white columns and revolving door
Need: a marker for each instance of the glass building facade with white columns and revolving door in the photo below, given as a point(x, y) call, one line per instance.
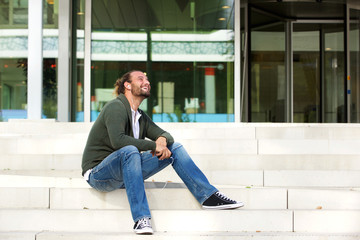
point(294, 61)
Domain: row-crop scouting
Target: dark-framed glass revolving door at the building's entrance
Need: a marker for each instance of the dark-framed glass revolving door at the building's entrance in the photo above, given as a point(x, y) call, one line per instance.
point(303, 62)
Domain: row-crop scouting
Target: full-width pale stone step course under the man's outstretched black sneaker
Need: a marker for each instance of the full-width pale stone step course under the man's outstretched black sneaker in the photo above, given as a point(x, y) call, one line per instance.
point(163, 196)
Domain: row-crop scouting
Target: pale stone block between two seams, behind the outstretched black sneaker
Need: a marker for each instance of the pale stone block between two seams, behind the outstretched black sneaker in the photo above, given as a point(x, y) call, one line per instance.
point(162, 199)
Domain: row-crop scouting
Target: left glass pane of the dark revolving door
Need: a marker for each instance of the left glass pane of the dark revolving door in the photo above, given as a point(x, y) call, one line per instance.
point(268, 81)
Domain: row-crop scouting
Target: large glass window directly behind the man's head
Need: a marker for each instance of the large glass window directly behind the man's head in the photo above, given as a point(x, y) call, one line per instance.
point(186, 48)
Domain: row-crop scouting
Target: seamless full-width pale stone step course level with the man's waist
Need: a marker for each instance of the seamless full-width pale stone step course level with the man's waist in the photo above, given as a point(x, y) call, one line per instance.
point(223, 161)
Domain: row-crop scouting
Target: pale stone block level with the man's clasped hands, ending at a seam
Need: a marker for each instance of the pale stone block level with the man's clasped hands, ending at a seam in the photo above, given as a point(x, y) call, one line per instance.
point(75, 144)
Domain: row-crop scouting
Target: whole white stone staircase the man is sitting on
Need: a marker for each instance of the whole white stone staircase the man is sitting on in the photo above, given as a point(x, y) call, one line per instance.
point(298, 181)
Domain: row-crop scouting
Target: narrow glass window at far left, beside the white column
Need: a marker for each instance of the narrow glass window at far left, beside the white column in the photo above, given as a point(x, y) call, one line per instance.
point(13, 59)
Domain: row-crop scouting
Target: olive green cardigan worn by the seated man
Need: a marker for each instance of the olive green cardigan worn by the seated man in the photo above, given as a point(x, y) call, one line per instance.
point(112, 130)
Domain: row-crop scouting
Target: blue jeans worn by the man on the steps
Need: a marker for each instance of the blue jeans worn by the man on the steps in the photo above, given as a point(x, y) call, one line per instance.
point(127, 168)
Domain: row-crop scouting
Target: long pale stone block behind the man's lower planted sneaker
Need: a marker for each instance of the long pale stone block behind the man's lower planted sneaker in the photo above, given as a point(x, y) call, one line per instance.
point(121, 221)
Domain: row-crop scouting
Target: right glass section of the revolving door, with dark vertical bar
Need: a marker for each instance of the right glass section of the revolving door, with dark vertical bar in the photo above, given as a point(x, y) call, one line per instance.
point(318, 68)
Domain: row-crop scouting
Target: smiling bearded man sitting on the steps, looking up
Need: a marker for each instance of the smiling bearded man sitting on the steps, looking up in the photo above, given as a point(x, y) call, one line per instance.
point(118, 156)
